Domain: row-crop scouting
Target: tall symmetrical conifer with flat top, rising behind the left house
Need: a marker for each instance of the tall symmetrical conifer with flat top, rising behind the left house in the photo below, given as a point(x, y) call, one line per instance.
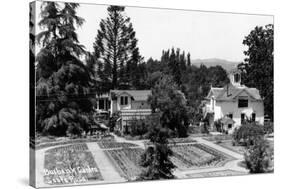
point(116, 49)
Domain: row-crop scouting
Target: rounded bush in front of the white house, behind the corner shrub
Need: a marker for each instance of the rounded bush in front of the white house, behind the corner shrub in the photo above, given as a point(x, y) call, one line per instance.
point(247, 134)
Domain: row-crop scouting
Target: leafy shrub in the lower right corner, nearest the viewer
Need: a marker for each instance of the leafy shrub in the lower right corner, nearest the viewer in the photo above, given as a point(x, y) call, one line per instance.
point(259, 157)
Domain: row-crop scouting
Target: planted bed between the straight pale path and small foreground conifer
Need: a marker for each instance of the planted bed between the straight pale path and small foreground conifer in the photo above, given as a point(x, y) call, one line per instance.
point(126, 161)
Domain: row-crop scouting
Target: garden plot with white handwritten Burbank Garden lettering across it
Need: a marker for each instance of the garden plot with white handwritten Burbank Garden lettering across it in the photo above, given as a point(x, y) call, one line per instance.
point(70, 164)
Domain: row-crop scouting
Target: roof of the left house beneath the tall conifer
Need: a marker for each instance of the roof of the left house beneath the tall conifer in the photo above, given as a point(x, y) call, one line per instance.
point(137, 95)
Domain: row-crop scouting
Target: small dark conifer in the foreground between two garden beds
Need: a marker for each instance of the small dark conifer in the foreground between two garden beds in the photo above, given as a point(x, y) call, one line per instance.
point(156, 158)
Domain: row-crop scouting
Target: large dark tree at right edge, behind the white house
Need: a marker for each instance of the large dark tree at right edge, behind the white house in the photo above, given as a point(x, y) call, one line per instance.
point(257, 69)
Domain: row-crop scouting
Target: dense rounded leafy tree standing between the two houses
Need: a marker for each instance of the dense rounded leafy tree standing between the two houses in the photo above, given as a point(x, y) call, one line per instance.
point(171, 104)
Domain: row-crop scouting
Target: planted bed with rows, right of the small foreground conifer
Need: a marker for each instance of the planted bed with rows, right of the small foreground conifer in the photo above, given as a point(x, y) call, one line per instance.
point(196, 156)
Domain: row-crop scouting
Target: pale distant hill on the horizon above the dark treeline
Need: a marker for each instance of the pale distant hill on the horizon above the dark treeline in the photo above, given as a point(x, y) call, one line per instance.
point(227, 65)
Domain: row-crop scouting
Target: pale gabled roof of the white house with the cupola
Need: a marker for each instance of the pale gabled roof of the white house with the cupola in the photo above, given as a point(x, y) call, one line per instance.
point(230, 91)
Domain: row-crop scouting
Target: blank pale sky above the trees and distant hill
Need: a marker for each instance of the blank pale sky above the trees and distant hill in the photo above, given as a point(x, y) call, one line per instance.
point(204, 34)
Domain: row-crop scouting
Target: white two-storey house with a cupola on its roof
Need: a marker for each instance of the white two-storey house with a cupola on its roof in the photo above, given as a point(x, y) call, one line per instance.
point(234, 101)
